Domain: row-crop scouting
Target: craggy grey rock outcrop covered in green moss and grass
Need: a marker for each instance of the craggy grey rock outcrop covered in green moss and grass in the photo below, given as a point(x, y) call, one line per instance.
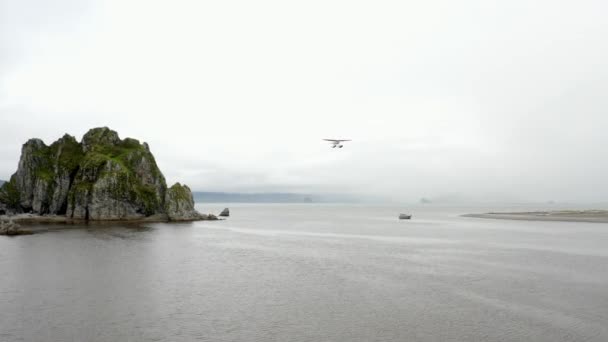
point(101, 178)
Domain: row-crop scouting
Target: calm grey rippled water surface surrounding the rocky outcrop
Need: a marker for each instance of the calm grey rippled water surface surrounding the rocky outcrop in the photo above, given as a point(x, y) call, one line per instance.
point(309, 273)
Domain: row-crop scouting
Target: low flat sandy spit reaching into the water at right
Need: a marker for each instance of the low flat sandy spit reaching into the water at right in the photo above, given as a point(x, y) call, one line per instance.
point(590, 216)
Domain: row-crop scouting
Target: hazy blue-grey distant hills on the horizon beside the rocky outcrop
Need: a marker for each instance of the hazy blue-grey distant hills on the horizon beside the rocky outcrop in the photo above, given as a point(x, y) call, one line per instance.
point(266, 197)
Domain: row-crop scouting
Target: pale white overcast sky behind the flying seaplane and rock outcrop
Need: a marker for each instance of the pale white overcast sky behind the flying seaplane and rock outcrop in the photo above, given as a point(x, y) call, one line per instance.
point(474, 99)
